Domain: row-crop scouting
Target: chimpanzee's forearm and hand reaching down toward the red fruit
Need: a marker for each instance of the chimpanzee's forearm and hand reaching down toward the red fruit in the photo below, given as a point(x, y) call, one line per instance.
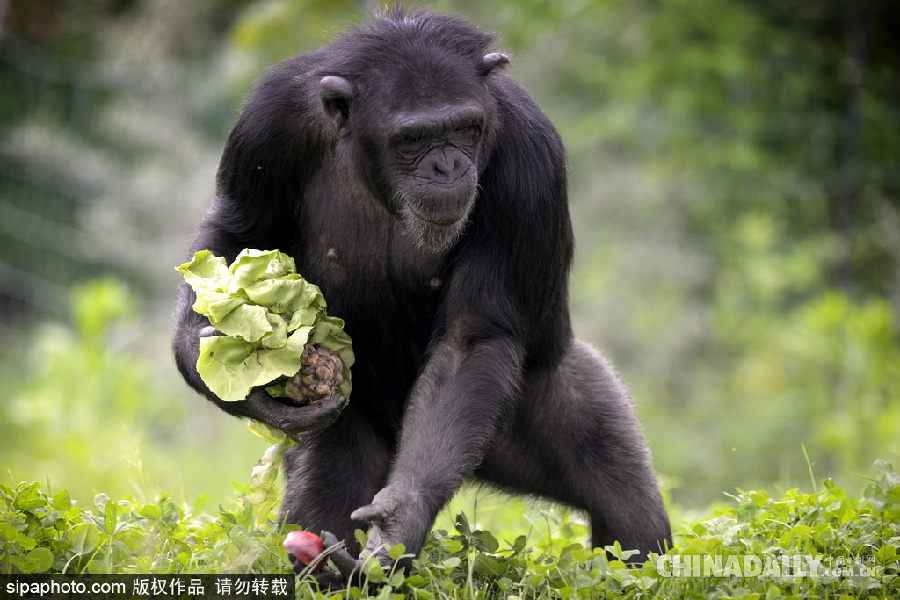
point(456, 408)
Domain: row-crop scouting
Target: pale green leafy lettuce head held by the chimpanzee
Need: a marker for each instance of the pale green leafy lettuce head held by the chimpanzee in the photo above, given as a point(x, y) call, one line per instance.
point(266, 313)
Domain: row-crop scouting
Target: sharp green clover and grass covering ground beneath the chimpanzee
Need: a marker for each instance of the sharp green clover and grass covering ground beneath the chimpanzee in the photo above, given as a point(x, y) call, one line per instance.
point(821, 545)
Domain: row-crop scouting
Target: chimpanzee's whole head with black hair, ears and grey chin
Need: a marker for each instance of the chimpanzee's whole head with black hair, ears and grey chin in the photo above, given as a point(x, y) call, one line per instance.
point(415, 115)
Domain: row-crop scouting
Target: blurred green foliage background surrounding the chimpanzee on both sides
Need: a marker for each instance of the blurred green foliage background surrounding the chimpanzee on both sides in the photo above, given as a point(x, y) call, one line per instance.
point(734, 188)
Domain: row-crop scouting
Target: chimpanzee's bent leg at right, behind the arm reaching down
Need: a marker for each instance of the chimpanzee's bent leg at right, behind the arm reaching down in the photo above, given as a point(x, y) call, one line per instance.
point(574, 438)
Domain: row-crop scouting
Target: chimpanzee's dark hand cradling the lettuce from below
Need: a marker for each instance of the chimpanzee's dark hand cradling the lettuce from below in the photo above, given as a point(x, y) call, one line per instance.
point(286, 416)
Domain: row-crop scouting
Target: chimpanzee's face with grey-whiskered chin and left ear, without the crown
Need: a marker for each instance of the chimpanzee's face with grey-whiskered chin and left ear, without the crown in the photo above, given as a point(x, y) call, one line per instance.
point(417, 145)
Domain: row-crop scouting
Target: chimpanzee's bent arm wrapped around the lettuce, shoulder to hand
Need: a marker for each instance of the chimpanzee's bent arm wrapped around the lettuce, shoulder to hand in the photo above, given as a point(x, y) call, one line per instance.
point(256, 207)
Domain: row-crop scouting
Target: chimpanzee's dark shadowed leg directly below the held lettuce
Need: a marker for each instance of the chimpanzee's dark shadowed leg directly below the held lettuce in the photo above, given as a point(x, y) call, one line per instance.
point(331, 473)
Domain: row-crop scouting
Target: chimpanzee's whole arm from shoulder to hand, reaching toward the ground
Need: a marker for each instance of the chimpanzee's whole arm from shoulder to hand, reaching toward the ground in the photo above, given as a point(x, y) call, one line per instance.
point(505, 311)
